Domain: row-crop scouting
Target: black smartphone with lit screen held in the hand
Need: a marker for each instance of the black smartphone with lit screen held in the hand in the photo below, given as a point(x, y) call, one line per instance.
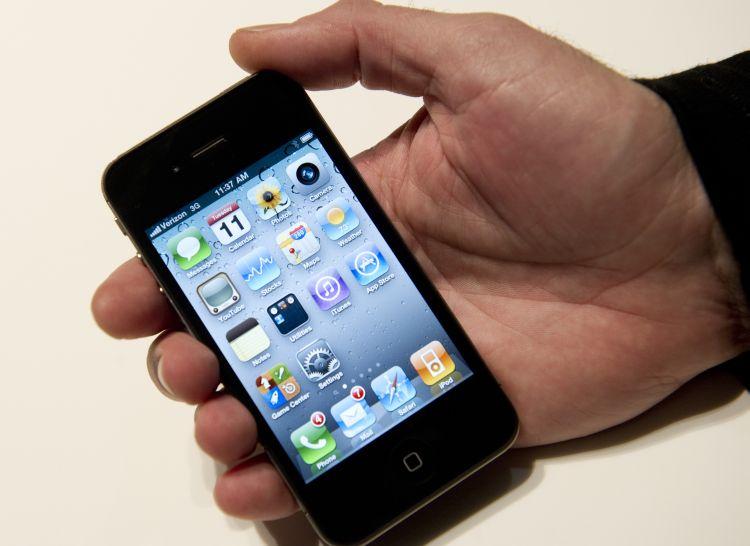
point(369, 397)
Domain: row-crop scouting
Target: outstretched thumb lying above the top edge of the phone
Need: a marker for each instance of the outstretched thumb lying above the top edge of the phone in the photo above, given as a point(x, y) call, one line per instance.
point(404, 50)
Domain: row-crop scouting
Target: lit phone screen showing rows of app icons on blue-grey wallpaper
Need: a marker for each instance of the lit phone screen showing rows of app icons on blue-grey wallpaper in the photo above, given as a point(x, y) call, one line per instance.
point(309, 305)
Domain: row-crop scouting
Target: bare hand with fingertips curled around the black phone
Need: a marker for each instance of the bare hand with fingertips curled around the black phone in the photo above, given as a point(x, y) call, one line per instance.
point(594, 278)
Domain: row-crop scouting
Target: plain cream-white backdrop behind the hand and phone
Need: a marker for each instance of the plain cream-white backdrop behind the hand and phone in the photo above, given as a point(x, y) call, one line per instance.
point(90, 454)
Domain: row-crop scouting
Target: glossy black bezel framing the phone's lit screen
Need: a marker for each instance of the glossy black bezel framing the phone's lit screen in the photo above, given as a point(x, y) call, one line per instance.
point(255, 117)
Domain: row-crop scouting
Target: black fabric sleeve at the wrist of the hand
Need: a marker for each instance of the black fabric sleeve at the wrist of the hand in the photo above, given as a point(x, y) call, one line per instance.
point(712, 106)
